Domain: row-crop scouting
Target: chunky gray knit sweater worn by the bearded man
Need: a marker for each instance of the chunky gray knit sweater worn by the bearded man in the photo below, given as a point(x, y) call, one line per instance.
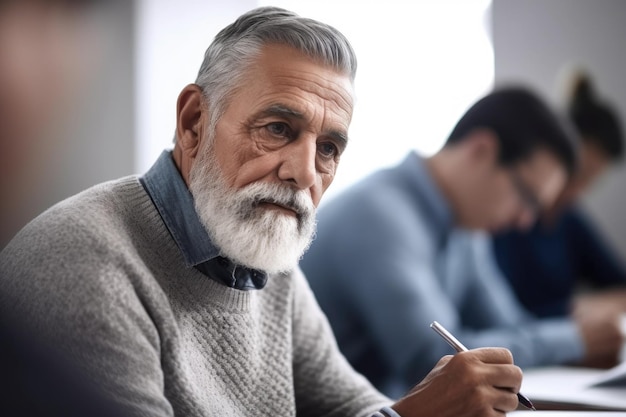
point(100, 275)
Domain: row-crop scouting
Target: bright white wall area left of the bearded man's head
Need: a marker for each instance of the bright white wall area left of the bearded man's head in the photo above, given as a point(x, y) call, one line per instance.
point(171, 37)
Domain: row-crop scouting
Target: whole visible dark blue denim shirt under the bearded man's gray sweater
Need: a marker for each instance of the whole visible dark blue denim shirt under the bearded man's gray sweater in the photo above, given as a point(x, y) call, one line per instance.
point(175, 204)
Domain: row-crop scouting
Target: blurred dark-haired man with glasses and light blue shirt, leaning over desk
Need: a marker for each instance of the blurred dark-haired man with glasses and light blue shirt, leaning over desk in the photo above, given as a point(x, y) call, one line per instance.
point(406, 246)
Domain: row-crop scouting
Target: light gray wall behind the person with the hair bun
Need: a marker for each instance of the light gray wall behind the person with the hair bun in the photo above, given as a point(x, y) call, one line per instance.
point(535, 39)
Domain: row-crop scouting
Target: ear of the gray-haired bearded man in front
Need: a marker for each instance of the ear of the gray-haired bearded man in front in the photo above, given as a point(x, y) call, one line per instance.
point(191, 112)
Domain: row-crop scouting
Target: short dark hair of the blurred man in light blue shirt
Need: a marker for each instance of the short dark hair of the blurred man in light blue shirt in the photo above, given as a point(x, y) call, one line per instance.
point(523, 123)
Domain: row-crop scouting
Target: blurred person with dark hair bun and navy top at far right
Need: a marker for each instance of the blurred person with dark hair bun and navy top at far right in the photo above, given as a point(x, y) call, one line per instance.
point(564, 251)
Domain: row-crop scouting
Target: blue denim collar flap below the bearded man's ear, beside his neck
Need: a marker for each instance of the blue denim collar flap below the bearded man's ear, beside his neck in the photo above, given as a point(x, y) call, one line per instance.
point(175, 204)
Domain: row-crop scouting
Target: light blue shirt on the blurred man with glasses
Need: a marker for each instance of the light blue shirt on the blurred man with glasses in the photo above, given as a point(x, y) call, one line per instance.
point(387, 261)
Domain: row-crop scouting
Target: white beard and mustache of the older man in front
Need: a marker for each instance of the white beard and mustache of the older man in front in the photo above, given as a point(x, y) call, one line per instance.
point(246, 233)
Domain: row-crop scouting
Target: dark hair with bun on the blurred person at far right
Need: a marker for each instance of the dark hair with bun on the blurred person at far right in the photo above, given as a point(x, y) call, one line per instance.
point(596, 121)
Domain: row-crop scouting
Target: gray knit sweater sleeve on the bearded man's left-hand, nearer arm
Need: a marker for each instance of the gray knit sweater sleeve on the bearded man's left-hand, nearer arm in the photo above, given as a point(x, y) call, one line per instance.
point(70, 288)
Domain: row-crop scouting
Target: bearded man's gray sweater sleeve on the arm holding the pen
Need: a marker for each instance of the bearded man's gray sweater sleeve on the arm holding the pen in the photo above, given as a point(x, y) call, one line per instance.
point(325, 384)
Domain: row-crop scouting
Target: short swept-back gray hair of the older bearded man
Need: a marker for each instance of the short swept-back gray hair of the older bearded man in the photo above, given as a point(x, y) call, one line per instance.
point(234, 49)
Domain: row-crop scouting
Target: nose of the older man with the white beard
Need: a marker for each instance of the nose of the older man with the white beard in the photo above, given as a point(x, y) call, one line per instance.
point(299, 163)
